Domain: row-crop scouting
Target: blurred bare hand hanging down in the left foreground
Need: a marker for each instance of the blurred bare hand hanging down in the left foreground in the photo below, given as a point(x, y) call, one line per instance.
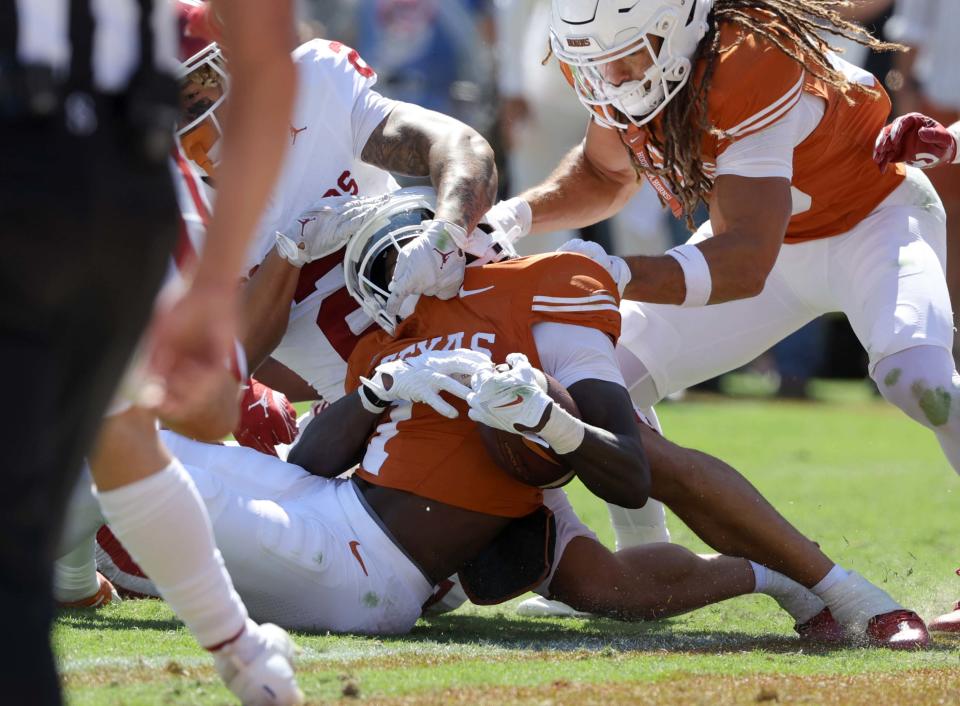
point(190, 343)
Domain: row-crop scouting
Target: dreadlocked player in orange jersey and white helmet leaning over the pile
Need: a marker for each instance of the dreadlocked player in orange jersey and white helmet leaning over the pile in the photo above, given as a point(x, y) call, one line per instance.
point(741, 105)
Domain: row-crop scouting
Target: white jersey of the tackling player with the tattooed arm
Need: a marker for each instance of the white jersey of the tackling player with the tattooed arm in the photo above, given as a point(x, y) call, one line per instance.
point(334, 114)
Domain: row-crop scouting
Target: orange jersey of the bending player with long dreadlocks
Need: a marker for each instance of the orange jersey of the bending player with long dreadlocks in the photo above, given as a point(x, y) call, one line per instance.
point(835, 182)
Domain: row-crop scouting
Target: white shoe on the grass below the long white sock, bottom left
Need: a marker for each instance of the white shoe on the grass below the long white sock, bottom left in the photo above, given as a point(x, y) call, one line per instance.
point(258, 667)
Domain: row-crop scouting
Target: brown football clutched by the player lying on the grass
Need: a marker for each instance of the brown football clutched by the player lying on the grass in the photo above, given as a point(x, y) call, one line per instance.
point(525, 460)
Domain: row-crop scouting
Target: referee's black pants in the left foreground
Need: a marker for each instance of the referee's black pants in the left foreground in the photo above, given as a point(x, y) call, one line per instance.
point(86, 229)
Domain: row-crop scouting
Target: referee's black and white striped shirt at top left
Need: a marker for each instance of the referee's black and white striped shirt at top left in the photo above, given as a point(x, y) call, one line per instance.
point(107, 37)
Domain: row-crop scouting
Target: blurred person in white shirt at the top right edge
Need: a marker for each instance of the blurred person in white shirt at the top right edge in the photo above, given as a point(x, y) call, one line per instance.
point(931, 85)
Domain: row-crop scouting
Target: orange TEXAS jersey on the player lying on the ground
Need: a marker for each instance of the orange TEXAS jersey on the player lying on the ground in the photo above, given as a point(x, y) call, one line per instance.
point(419, 451)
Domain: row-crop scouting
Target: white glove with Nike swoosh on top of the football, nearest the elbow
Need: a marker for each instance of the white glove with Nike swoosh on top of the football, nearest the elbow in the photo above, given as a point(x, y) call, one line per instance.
point(513, 397)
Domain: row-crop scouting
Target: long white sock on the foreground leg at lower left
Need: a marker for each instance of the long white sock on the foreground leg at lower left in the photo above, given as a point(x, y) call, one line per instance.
point(163, 523)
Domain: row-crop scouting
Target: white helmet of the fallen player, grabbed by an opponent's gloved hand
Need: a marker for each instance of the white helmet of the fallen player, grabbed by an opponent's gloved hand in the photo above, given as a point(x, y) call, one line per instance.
point(372, 251)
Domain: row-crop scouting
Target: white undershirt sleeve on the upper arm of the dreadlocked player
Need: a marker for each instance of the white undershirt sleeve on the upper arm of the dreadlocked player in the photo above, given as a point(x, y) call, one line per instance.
point(769, 152)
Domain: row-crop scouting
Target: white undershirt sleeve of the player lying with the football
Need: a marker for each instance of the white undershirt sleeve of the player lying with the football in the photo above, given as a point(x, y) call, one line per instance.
point(572, 353)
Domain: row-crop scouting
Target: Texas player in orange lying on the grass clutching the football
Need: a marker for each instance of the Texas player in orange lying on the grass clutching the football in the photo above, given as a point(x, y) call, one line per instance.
point(312, 553)
